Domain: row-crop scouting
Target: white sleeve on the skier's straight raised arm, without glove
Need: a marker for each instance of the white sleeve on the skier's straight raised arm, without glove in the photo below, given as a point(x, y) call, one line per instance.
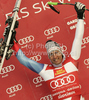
point(76, 47)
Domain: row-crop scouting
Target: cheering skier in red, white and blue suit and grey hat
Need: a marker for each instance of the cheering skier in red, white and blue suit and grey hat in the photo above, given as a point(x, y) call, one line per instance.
point(62, 75)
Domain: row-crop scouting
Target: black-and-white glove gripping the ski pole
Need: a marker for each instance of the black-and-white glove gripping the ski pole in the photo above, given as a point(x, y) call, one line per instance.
point(80, 9)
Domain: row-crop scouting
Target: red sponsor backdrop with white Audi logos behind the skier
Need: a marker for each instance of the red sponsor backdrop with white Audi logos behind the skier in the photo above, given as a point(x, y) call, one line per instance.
point(37, 24)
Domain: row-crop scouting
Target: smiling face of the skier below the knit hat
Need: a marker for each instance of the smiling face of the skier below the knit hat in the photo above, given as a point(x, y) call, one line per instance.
point(55, 57)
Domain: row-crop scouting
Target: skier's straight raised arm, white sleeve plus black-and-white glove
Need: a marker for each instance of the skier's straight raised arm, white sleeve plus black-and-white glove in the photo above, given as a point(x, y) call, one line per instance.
point(76, 47)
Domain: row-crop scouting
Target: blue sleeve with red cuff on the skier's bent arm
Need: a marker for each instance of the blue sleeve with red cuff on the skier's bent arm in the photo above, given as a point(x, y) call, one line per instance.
point(31, 64)
